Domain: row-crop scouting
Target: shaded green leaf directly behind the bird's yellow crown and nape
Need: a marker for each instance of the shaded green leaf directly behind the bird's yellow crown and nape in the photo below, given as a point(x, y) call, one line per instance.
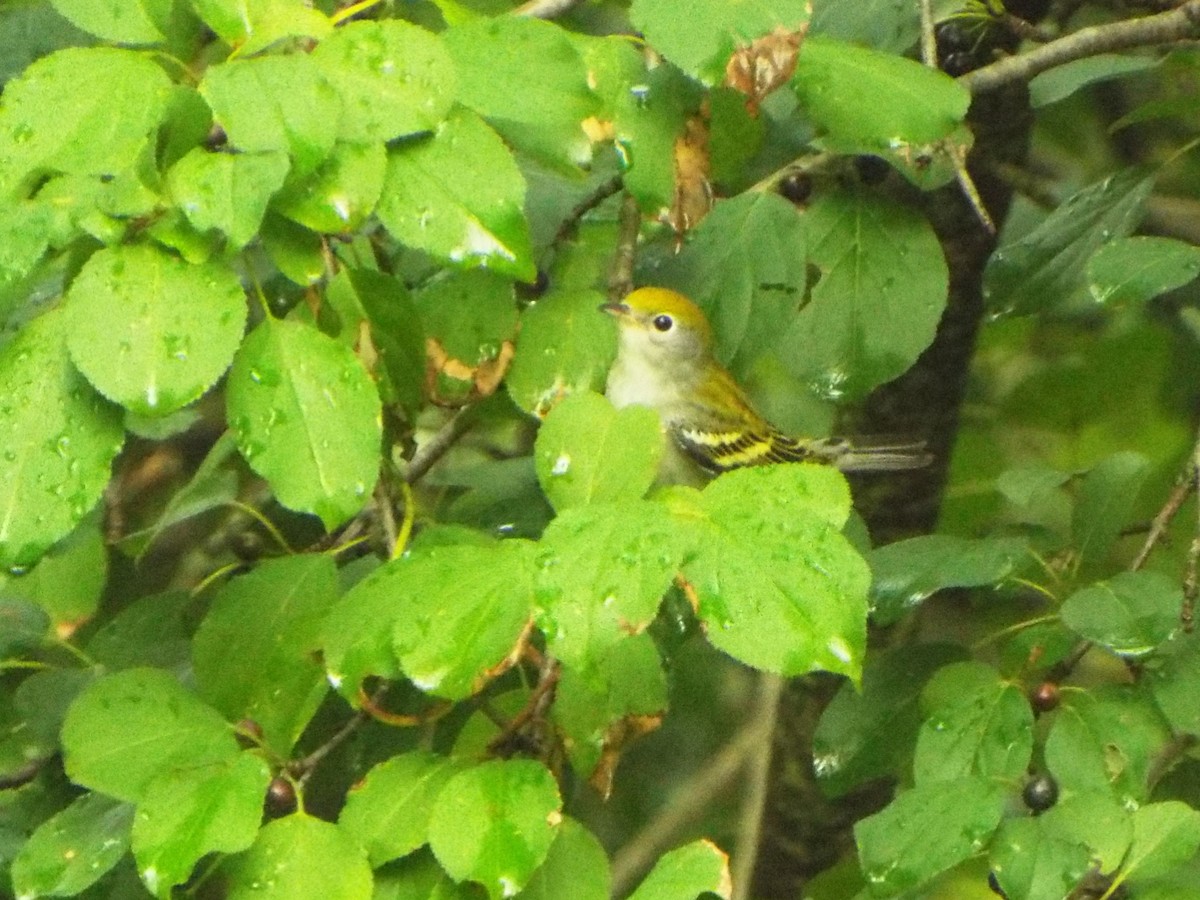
point(746, 267)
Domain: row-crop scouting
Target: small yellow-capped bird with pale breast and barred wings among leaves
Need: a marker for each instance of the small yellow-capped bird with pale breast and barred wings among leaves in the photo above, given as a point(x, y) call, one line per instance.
point(665, 362)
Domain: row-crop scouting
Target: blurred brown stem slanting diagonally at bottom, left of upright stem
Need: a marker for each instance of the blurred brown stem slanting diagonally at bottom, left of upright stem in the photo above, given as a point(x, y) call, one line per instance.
point(686, 806)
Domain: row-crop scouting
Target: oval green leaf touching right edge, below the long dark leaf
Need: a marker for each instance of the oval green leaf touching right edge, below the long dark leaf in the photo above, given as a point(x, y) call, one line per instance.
point(1133, 271)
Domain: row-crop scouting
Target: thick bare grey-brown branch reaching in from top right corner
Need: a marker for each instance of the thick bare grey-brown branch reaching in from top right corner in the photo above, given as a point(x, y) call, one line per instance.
point(1151, 31)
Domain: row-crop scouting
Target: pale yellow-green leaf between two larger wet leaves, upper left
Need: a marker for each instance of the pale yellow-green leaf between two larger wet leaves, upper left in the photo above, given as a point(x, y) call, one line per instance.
point(275, 104)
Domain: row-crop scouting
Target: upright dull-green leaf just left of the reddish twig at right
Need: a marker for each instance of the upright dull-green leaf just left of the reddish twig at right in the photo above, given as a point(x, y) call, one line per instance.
point(1106, 501)
